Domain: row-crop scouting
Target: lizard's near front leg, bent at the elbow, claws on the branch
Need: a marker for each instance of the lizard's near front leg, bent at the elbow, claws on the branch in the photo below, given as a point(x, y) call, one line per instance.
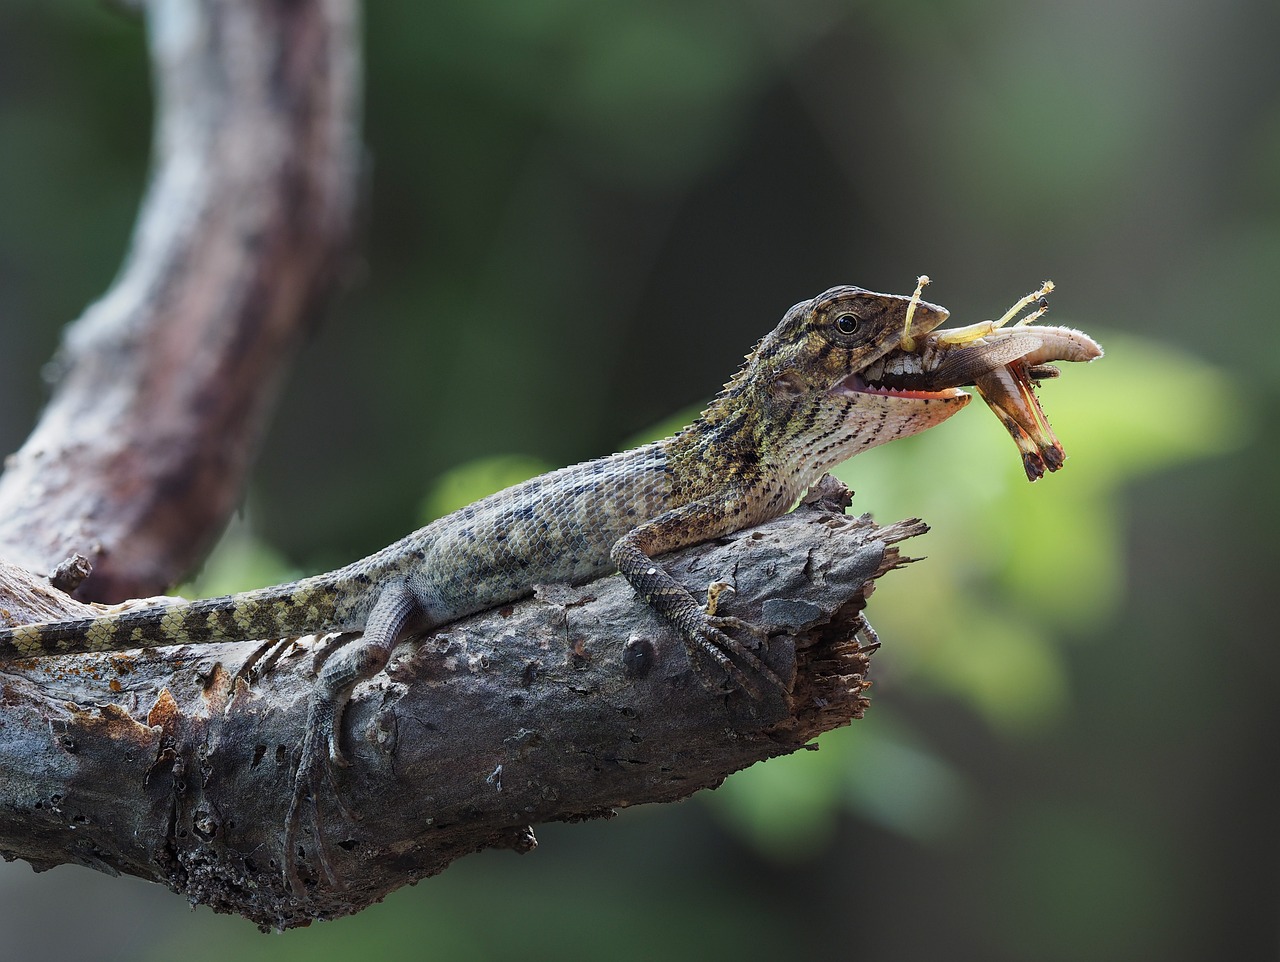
point(705, 635)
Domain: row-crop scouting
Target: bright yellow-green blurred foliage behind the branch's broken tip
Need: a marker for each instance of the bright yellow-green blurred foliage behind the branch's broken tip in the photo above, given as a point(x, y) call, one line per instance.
point(1017, 567)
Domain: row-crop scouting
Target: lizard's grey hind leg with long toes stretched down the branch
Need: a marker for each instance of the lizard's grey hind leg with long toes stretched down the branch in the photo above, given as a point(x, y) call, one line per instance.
point(322, 752)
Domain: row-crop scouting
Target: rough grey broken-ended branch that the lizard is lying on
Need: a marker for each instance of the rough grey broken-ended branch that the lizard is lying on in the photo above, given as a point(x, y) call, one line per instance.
point(176, 766)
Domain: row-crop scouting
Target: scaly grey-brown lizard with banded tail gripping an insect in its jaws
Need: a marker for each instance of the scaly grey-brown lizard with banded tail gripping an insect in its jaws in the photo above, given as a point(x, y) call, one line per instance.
point(799, 406)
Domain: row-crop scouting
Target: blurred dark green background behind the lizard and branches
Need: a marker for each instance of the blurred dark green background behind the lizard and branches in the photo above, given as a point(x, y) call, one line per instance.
point(580, 216)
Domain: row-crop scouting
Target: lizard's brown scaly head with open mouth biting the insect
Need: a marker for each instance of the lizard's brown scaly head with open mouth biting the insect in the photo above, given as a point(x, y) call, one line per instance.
point(803, 395)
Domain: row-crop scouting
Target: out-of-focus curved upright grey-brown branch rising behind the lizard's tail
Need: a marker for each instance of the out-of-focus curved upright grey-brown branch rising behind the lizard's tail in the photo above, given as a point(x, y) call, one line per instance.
point(164, 384)
